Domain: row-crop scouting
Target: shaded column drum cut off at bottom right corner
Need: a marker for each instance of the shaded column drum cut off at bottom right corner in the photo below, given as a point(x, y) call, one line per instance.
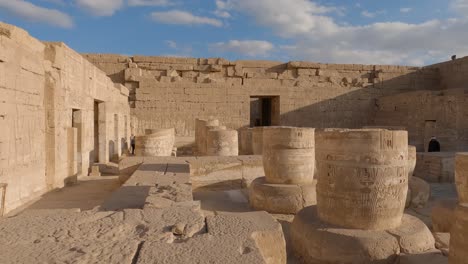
point(459, 236)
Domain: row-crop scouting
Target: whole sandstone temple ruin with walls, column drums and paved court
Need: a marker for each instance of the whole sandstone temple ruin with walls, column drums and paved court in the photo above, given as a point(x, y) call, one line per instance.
point(236, 161)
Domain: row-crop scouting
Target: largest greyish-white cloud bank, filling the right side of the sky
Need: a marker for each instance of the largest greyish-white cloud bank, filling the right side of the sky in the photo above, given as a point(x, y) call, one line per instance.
point(315, 35)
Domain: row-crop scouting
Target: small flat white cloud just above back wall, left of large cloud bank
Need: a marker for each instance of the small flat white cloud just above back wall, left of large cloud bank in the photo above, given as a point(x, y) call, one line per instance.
point(250, 48)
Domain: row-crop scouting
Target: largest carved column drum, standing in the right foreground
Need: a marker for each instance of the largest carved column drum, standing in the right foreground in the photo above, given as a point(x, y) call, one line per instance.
point(362, 177)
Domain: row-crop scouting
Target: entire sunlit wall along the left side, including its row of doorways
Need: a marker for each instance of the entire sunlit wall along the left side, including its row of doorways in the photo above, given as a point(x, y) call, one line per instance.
point(47, 98)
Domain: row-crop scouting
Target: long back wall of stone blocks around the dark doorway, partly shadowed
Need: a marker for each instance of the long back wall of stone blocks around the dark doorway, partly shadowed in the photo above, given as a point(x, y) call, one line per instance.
point(173, 92)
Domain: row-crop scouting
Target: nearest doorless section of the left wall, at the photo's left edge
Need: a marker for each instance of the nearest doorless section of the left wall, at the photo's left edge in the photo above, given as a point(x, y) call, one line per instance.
point(22, 119)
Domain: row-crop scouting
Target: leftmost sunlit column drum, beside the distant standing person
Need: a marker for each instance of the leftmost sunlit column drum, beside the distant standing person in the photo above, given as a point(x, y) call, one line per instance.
point(156, 142)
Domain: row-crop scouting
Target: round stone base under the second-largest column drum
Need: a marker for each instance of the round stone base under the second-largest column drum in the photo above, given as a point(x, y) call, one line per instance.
point(281, 198)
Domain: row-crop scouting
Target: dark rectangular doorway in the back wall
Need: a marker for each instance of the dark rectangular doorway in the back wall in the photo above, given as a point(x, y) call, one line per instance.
point(264, 111)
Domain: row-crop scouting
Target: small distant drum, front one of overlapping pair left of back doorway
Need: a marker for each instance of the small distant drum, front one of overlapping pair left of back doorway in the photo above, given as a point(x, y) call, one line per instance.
point(221, 142)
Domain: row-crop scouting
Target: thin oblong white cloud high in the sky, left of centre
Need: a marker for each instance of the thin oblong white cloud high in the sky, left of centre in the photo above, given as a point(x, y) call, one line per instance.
point(178, 17)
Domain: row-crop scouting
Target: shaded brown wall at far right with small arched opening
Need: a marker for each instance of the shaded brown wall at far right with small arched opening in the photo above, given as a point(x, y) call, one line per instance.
point(428, 113)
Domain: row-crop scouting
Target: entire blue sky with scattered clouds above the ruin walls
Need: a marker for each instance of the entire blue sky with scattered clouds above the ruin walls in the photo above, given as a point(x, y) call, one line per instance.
point(412, 32)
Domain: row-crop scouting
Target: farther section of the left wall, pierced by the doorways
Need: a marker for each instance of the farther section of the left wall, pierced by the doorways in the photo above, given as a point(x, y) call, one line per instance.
point(75, 85)
